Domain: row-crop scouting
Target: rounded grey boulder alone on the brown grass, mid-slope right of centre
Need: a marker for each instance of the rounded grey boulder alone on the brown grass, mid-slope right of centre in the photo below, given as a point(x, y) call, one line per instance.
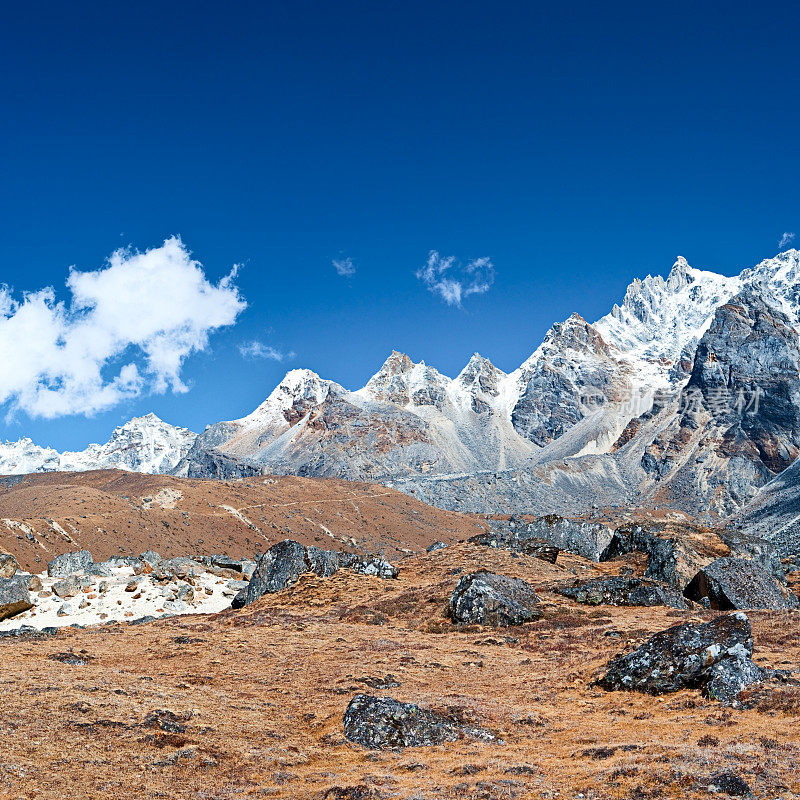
point(485, 598)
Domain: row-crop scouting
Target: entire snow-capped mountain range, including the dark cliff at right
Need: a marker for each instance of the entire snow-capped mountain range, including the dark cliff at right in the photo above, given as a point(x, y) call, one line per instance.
point(686, 395)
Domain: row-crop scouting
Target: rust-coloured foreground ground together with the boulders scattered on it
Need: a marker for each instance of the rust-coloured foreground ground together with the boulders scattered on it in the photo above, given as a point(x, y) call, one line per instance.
point(349, 685)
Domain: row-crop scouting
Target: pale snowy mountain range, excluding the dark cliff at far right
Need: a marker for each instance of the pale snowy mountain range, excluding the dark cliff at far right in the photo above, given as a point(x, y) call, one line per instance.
point(584, 401)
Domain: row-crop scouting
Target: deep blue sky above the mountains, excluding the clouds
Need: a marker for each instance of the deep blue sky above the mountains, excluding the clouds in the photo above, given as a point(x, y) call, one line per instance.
point(575, 145)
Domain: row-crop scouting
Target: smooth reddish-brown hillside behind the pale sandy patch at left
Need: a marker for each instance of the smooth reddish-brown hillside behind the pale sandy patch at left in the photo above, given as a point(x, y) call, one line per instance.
point(113, 512)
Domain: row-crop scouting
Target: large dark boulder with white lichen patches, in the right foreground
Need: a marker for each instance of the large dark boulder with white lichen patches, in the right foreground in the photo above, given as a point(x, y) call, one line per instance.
point(713, 656)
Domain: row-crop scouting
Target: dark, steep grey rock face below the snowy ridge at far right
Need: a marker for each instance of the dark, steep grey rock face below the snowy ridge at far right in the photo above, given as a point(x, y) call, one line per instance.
point(738, 421)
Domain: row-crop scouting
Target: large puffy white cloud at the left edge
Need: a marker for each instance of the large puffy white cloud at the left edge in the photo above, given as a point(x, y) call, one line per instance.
point(127, 330)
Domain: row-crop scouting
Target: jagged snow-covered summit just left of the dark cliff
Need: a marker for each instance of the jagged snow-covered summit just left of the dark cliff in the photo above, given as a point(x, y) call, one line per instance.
point(658, 318)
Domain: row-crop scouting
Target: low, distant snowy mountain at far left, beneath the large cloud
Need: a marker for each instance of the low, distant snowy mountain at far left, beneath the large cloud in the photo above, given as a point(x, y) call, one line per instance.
point(144, 444)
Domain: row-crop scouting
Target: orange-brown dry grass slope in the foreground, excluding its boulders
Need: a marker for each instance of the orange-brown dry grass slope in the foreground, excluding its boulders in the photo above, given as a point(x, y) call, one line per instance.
point(250, 703)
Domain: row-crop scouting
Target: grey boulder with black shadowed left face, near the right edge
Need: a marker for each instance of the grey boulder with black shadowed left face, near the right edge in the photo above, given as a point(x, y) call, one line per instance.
point(731, 583)
